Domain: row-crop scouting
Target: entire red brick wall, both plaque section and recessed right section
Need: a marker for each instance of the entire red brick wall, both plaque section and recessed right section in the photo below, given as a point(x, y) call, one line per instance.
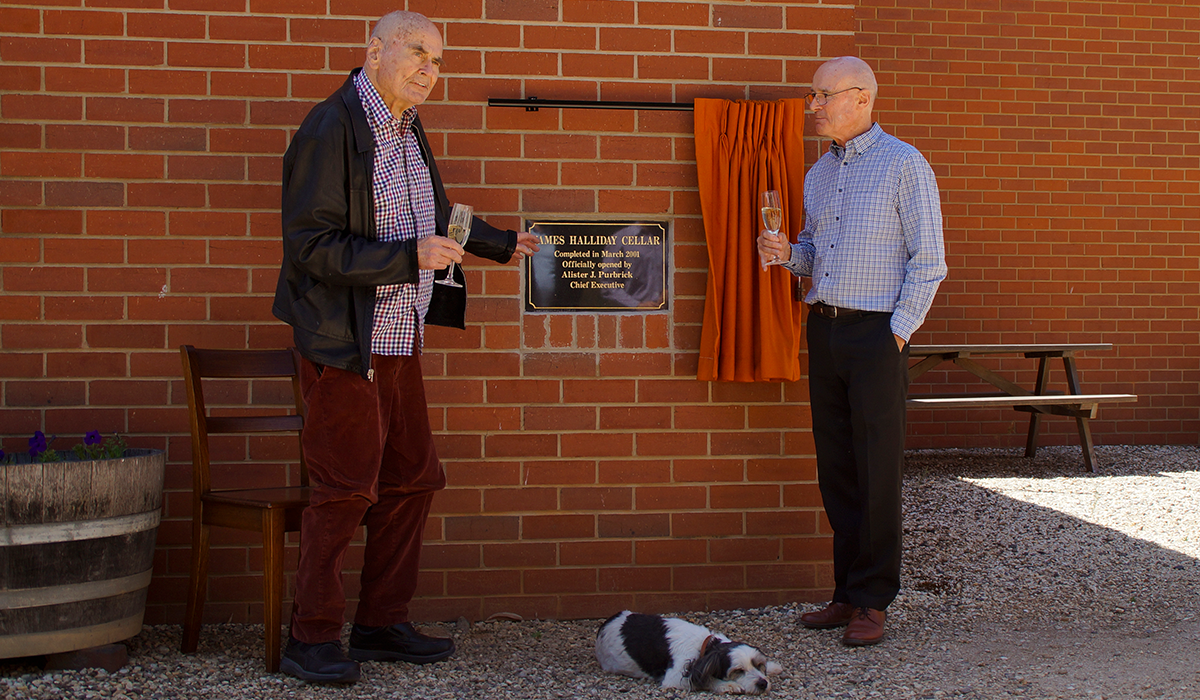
point(140, 158)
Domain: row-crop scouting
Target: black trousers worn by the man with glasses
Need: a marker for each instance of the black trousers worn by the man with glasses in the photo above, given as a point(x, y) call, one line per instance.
point(859, 384)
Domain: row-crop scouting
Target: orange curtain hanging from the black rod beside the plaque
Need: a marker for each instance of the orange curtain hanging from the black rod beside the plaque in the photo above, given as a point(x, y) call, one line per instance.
point(752, 319)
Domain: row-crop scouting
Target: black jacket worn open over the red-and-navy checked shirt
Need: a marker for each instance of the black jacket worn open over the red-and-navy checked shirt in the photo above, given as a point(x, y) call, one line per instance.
point(333, 260)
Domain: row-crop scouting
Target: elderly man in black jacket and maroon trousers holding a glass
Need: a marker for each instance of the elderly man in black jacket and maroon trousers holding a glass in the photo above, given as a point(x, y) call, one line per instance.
point(364, 222)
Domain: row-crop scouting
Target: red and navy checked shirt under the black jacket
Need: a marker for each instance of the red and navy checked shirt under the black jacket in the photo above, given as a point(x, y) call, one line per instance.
point(404, 208)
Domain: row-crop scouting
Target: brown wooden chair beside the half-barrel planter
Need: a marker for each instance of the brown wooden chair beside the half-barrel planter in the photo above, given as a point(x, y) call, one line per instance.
point(271, 511)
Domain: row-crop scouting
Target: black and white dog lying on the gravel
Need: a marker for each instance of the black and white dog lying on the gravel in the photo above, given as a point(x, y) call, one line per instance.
point(681, 655)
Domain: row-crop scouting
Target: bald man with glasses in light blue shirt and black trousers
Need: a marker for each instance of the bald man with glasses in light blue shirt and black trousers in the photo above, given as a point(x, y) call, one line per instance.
point(873, 246)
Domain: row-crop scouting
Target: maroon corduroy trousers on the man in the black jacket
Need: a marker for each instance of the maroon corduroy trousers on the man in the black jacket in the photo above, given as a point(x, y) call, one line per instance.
point(371, 460)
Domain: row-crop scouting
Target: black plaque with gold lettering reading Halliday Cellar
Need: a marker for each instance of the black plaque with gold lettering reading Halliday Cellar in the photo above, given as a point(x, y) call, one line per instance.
point(593, 266)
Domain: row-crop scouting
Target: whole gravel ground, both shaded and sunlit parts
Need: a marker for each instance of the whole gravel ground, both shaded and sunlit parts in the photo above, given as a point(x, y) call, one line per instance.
point(1023, 579)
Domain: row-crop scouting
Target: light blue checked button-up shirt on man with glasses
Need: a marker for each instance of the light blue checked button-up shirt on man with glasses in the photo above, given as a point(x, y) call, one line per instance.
point(873, 230)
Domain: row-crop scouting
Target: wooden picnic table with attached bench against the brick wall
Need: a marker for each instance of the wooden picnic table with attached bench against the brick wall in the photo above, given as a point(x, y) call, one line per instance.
point(1037, 402)
